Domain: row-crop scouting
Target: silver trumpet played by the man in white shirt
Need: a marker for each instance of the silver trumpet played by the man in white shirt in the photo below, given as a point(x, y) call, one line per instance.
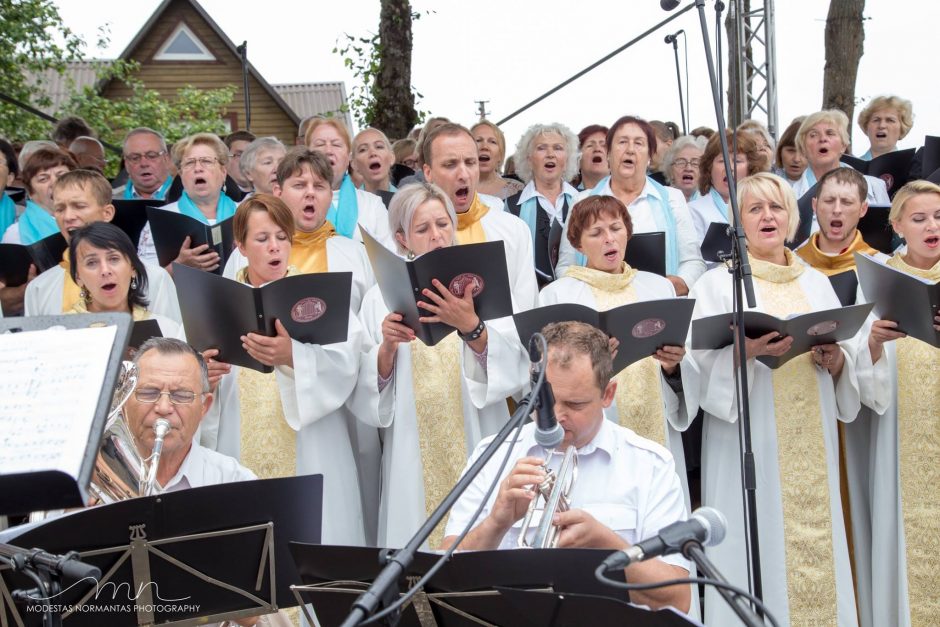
point(555, 492)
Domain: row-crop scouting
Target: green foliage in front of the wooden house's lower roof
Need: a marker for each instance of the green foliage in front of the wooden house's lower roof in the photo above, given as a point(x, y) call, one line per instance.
point(189, 111)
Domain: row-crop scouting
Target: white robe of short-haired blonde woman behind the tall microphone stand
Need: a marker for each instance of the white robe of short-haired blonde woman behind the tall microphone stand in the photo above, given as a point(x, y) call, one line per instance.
point(721, 469)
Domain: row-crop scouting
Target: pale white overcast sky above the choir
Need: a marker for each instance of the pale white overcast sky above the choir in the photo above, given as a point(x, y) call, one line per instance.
point(509, 53)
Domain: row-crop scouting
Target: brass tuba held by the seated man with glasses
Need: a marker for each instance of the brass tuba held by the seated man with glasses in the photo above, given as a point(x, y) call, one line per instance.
point(120, 471)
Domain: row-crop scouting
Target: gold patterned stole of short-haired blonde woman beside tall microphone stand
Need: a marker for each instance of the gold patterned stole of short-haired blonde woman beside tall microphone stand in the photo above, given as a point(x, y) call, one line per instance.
point(801, 455)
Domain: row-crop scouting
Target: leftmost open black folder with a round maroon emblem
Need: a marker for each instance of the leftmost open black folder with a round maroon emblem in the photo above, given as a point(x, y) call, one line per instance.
point(314, 308)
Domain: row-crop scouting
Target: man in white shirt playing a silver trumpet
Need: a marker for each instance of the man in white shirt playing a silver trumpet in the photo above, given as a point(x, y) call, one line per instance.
point(627, 488)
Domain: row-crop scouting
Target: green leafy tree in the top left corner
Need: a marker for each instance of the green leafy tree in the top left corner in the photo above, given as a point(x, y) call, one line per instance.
point(33, 39)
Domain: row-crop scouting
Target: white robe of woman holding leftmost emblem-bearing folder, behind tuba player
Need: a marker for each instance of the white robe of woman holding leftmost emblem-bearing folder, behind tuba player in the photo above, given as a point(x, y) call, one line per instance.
point(313, 395)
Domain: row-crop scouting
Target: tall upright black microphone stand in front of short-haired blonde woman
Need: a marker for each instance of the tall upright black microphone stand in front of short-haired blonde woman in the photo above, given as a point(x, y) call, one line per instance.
point(741, 277)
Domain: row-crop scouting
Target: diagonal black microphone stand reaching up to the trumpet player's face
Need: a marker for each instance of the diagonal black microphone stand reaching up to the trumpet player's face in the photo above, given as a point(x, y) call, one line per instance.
point(384, 588)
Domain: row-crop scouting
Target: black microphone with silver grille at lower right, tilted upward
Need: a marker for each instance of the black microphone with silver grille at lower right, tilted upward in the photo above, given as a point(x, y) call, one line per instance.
point(707, 526)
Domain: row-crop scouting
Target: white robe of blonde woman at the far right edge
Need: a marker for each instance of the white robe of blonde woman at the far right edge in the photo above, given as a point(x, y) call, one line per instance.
point(888, 550)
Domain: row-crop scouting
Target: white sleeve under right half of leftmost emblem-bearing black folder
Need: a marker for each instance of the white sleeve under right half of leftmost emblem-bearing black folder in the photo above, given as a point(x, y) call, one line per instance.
point(322, 378)
